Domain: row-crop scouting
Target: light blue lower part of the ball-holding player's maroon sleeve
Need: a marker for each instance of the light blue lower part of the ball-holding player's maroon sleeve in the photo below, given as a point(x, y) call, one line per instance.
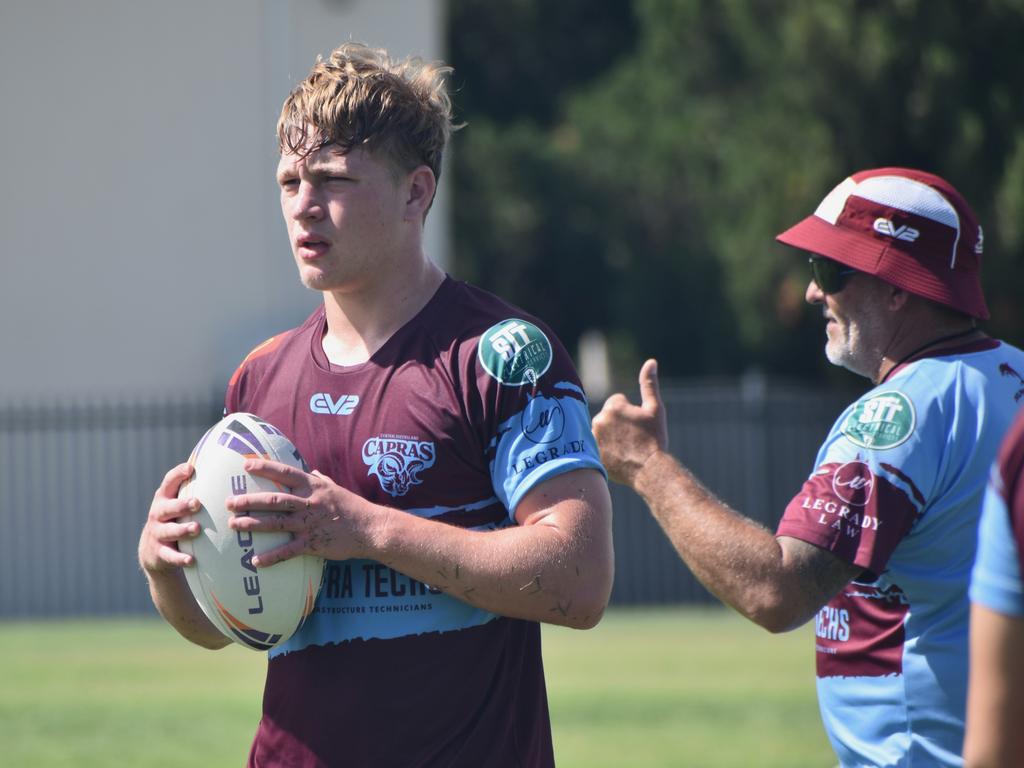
point(549, 437)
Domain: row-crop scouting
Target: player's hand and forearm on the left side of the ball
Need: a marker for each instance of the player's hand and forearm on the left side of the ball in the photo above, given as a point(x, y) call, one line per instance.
point(163, 563)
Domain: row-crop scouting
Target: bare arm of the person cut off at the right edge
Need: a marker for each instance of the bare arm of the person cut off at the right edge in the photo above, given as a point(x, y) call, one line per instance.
point(996, 697)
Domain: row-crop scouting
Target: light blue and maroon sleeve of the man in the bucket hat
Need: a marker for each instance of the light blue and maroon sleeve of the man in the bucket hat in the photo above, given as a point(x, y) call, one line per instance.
point(872, 481)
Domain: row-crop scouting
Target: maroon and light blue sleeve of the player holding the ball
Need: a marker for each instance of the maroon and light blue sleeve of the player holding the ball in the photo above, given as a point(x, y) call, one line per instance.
point(537, 416)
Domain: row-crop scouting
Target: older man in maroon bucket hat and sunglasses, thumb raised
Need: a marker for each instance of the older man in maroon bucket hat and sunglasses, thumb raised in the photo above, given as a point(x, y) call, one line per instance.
point(878, 545)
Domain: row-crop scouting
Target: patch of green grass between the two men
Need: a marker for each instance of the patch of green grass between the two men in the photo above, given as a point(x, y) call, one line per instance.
point(684, 688)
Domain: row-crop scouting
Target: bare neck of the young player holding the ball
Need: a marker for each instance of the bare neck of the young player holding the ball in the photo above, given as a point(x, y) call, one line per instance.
point(362, 320)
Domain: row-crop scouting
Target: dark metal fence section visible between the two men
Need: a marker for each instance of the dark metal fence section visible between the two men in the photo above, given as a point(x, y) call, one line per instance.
point(751, 442)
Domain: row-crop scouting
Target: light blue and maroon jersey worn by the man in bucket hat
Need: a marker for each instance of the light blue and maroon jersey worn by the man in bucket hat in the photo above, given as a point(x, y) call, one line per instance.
point(898, 490)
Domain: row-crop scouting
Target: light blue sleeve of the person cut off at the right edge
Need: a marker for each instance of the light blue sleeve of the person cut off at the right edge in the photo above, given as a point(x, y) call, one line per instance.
point(996, 582)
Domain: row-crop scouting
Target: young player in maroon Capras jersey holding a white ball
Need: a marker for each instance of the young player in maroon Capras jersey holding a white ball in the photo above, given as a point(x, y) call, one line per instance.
point(458, 494)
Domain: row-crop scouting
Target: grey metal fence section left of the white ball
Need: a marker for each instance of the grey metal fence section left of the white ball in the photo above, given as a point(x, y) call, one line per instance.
point(76, 482)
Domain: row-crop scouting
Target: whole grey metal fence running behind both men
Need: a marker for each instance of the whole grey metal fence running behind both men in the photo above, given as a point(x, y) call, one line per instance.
point(76, 482)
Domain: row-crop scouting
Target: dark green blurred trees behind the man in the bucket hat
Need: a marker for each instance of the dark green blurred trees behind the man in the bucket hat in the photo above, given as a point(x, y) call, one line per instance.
point(626, 165)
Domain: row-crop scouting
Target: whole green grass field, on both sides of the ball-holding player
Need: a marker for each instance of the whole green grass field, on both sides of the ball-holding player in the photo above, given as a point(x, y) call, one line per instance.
point(671, 688)
